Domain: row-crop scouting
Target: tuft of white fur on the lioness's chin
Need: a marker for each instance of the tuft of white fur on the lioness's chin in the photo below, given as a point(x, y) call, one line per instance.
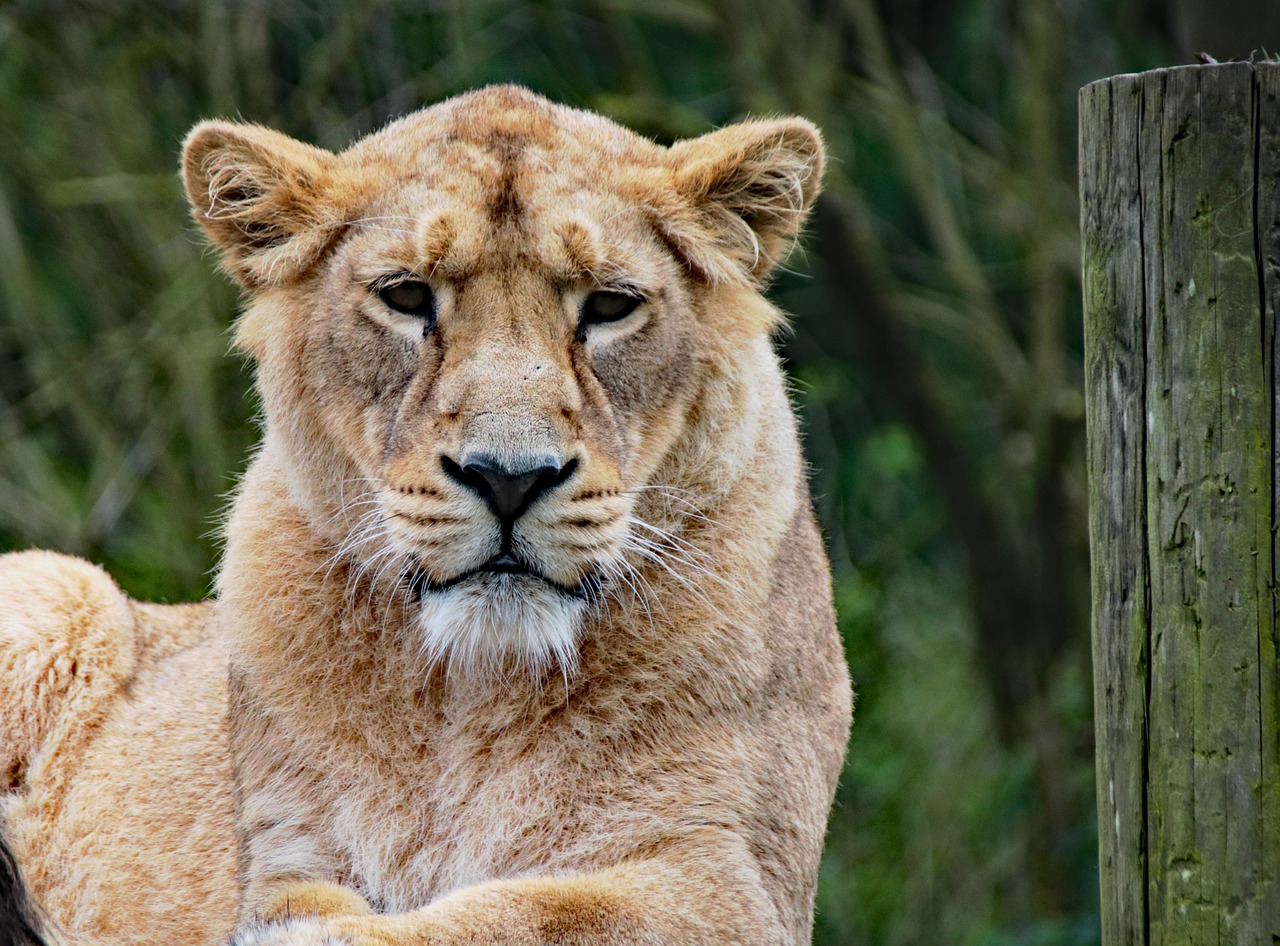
point(500, 625)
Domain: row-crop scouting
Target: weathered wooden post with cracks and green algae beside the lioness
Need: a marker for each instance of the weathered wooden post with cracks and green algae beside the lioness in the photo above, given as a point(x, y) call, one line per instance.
point(1181, 218)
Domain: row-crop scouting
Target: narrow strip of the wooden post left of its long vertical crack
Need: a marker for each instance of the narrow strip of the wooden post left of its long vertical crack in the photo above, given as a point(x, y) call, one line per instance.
point(1117, 406)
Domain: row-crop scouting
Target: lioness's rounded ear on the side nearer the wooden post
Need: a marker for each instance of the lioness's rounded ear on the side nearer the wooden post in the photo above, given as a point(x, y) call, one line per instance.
point(751, 188)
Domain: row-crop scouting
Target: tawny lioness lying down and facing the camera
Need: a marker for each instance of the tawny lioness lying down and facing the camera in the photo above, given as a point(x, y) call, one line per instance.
point(524, 632)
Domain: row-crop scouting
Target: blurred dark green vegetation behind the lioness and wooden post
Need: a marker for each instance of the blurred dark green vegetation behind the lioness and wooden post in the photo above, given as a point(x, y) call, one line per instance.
point(935, 348)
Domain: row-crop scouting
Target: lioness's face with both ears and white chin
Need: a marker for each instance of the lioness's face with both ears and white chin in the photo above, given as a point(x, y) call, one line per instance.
point(482, 331)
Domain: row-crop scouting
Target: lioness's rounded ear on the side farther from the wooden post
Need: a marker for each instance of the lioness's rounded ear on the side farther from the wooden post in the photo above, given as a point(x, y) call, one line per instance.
point(260, 198)
